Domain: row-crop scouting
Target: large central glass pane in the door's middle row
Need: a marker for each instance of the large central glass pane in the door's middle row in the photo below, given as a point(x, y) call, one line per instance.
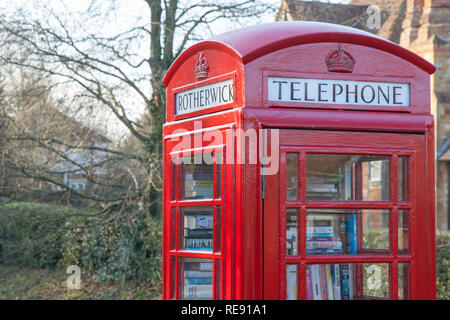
point(347, 231)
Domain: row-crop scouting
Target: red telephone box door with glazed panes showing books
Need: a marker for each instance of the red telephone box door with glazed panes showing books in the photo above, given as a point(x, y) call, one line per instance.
point(344, 217)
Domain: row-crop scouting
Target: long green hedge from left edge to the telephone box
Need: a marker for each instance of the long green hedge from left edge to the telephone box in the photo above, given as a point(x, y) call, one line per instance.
point(115, 246)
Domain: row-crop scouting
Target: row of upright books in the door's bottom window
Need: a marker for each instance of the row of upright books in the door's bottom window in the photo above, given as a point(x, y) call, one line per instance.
point(329, 282)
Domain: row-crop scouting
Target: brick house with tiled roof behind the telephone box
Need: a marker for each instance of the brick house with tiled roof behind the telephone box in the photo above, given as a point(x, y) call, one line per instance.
point(422, 26)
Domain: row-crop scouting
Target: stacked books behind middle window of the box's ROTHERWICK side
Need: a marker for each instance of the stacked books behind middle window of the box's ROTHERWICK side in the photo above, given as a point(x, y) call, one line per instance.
point(198, 231)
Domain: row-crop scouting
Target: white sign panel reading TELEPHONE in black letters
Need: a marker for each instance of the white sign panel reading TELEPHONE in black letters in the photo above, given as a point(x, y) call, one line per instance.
point(344, 92)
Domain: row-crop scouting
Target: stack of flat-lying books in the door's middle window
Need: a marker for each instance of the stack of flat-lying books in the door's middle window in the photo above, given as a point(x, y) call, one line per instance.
point(320, 237)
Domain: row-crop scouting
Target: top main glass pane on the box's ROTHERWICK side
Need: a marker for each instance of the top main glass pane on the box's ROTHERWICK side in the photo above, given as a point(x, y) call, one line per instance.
point(197, 178)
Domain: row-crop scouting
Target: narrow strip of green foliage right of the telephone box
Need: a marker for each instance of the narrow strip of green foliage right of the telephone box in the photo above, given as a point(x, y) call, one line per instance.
point(443, 266)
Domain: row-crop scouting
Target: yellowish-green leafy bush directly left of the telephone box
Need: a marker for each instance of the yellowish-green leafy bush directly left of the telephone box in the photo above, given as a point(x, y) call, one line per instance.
point(128, 247)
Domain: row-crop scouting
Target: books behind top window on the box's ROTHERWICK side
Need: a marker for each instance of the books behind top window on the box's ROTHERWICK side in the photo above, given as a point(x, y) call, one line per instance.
point(198, 182)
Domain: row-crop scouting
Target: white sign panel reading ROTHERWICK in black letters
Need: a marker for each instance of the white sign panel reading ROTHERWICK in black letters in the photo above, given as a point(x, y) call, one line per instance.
point(204, 97)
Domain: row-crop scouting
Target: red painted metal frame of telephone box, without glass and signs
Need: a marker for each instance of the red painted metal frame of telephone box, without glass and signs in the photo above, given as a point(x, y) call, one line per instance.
point(251, 262)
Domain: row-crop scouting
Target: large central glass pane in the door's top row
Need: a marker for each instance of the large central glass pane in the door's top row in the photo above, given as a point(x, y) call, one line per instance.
point(347, 177)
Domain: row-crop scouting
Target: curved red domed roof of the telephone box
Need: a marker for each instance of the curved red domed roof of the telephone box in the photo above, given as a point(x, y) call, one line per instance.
point(250, 43)
